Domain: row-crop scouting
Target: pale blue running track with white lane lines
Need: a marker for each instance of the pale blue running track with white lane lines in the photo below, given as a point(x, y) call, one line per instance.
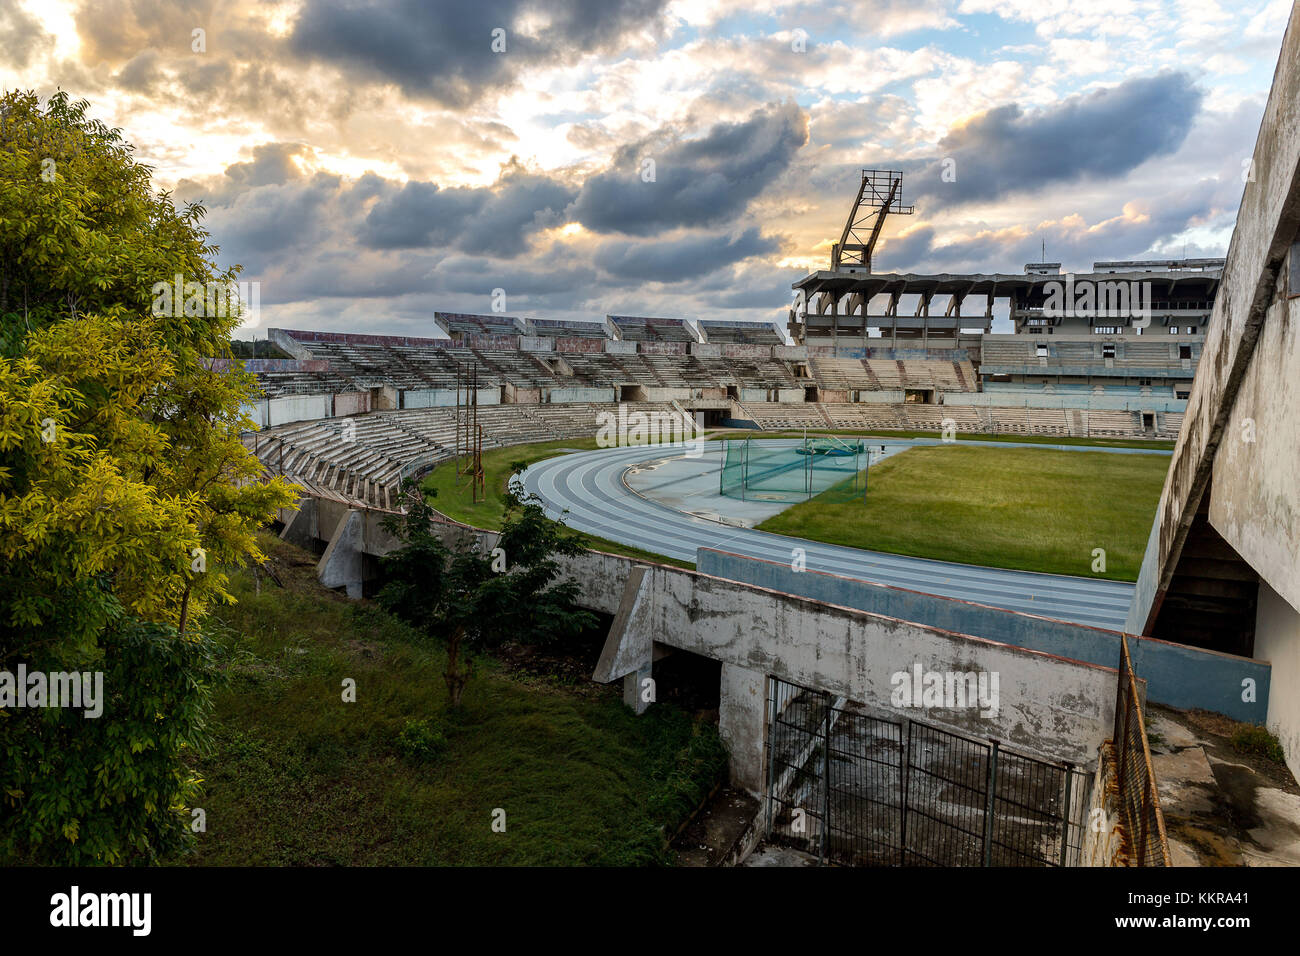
point(590, 486)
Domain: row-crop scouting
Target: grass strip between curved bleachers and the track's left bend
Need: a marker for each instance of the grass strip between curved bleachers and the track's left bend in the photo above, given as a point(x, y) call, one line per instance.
point(456, 496)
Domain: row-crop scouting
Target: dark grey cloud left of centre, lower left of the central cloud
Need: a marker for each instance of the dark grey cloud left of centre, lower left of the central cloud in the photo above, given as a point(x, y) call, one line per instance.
point(476, 220)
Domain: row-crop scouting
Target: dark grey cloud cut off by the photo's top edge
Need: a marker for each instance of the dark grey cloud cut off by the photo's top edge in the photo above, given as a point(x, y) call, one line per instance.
point(444, 51)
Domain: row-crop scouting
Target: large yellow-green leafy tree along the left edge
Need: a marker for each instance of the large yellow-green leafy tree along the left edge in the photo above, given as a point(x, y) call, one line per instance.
point(125, 488)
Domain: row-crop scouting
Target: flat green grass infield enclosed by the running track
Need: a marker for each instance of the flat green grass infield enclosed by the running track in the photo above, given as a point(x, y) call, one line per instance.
point(1025, 509)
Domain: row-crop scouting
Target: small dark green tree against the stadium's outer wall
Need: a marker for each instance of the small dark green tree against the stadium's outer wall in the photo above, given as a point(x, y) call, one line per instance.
point(479, 602)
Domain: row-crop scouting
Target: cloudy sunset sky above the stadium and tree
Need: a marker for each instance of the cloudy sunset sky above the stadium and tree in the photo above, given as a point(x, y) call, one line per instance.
point(370, 162)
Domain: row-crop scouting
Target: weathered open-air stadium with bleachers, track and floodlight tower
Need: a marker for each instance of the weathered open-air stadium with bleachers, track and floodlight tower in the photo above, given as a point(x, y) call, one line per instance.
point(960, 503)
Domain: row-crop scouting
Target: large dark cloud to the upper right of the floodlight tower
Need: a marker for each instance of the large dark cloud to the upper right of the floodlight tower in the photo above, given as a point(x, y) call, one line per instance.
point(1099, 136)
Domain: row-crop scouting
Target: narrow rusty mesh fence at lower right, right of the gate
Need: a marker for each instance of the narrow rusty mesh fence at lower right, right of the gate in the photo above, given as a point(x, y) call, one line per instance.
point(1143, 838)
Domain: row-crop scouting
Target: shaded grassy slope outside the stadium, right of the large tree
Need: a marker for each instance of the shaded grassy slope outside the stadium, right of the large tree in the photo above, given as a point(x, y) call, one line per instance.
point(301, 778)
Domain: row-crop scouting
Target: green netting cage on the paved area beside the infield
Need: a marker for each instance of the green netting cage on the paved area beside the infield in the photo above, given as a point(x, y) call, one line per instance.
point(781, 471)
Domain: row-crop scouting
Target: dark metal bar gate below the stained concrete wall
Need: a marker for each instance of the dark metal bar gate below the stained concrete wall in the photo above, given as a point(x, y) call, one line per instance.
point(869, 791)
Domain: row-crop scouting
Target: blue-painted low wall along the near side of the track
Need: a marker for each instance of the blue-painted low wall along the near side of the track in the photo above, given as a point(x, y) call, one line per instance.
point(1177, 676)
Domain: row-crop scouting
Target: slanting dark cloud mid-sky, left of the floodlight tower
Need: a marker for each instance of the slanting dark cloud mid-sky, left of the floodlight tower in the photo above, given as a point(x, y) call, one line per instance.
point(697, 183)
